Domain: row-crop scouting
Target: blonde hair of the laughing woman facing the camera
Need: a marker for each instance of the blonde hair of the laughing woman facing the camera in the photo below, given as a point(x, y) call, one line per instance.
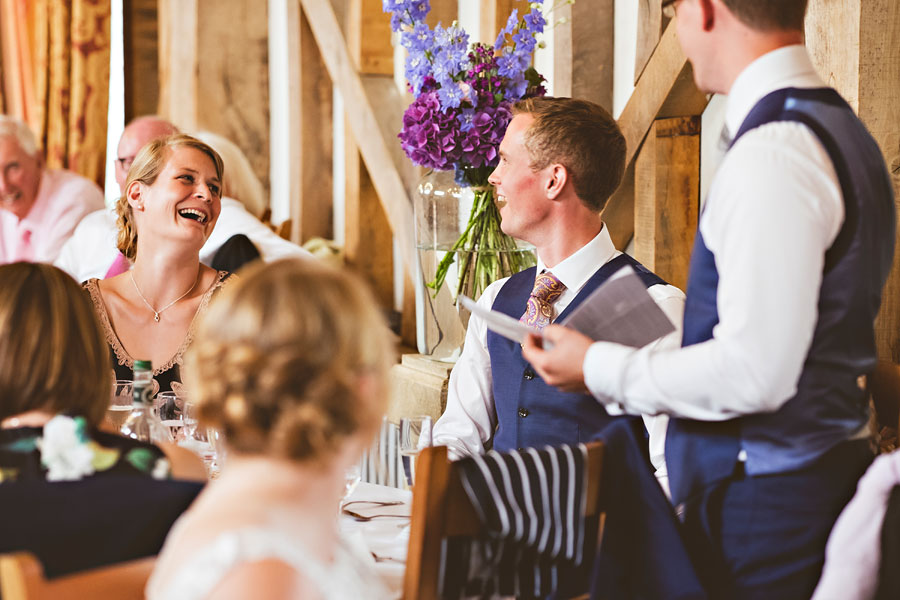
point(147, 166)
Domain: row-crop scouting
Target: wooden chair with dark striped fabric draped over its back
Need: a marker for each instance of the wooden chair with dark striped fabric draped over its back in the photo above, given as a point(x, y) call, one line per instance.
point(441, 508)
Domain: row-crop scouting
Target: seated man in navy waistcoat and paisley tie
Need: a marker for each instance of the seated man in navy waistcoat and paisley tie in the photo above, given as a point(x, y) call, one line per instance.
point(560, 161)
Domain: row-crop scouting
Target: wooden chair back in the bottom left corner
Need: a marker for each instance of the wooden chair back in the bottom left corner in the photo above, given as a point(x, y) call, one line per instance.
point(22, 578)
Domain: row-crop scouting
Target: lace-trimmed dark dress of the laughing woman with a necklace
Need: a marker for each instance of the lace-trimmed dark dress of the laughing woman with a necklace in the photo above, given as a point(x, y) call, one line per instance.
point(122, 362)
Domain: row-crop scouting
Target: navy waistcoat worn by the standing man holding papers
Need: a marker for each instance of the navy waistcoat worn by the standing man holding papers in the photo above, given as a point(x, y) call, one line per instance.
point(828, 407)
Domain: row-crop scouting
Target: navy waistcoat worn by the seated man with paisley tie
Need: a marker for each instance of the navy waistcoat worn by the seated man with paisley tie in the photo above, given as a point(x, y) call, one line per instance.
point(531, 413)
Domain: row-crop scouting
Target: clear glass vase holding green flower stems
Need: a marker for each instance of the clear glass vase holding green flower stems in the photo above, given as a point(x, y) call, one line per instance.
point(460, 250)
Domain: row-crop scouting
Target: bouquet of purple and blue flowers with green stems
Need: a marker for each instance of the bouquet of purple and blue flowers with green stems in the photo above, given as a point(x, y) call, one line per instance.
point(463, 94)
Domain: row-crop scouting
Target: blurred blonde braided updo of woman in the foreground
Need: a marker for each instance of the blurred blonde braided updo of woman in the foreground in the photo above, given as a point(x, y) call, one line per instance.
point(279, 360)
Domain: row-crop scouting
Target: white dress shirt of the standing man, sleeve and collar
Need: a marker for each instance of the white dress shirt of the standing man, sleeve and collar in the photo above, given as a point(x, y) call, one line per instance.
point(774, 208)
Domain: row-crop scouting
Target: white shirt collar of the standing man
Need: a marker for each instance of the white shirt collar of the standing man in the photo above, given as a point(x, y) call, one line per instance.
point(789, 66)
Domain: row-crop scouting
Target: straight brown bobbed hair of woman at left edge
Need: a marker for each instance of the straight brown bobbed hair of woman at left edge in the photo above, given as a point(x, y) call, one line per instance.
point(53, 355)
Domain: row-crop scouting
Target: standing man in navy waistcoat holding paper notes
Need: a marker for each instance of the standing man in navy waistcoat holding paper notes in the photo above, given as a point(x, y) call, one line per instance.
point(767, 435)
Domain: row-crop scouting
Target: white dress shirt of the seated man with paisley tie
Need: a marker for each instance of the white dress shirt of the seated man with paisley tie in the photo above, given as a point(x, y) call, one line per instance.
point(469, 420)
